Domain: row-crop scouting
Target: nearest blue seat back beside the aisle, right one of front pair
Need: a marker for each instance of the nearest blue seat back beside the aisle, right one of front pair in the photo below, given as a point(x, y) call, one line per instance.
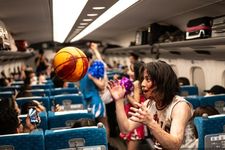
point(75, 137)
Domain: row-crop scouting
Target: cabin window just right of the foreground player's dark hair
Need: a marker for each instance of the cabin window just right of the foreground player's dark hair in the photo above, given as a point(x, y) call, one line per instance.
point(198, 79)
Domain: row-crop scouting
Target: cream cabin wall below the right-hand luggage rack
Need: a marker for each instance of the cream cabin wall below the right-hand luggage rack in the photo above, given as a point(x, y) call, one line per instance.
point(213, 70)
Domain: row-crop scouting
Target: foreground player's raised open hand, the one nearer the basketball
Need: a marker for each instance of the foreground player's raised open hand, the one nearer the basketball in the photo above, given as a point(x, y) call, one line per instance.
point(117, 91)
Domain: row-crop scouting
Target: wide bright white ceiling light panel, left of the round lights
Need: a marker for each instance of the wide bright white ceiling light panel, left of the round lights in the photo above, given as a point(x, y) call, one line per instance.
point(65, 14)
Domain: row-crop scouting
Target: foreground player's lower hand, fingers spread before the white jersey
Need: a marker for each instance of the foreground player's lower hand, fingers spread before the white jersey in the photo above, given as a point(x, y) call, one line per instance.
point(140, 114)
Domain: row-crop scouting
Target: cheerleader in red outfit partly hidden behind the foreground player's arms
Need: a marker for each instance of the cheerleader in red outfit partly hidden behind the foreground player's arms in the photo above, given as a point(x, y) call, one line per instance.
point(133, 138)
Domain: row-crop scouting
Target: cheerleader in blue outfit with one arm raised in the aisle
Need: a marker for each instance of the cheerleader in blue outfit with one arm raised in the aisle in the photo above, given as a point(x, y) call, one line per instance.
point(91, 88)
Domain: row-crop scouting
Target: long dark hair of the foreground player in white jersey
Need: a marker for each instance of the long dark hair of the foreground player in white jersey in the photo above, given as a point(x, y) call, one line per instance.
point(164, 81)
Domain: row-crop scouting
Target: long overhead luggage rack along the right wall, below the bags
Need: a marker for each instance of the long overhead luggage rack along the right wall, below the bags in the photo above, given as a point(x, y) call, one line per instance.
point(211, 48)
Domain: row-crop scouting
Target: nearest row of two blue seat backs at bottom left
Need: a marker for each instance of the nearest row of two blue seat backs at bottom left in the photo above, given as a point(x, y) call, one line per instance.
point(93, 137)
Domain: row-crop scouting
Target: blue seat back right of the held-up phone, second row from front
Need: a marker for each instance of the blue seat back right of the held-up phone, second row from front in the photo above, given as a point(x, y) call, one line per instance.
point(66, 118)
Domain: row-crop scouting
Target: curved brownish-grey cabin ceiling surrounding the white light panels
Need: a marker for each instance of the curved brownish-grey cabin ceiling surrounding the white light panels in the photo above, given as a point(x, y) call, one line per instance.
point(32, 19)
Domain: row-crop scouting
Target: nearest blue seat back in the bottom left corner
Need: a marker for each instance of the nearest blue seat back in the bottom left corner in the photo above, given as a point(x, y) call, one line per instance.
point(23, 141)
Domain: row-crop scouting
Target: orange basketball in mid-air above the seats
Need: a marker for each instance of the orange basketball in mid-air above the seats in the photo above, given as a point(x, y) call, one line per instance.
point(70, 64)
